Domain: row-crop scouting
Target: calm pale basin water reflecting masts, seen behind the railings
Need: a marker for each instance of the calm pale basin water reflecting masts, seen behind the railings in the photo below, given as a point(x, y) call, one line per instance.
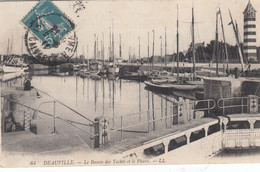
point(124, 102)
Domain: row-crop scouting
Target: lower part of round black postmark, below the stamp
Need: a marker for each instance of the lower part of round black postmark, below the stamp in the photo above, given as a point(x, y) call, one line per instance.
point(56, 55)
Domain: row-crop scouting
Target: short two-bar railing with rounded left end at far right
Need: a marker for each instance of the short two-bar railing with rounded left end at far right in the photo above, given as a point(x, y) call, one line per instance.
point(232, 105)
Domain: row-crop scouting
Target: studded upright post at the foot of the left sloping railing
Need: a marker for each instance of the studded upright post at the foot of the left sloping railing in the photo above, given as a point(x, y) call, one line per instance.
point(102, 131)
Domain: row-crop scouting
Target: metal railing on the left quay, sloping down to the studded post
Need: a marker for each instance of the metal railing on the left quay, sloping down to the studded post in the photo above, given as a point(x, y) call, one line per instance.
point(43, 122)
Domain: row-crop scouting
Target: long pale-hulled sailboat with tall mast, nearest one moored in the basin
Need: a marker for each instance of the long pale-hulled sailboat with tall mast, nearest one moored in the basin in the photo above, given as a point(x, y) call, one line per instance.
point(175, 85)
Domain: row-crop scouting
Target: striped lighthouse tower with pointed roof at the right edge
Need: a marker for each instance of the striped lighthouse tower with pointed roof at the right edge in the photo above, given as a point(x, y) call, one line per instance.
point(250, 33)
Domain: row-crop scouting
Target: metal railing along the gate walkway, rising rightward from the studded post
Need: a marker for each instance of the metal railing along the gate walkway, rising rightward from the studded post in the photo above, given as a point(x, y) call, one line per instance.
point(157, 122)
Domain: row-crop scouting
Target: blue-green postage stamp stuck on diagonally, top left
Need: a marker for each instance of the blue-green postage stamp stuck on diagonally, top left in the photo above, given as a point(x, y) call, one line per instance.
point(48, 23)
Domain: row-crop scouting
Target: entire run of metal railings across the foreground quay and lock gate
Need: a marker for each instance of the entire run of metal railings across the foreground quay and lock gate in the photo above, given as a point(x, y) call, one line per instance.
point(141, 122)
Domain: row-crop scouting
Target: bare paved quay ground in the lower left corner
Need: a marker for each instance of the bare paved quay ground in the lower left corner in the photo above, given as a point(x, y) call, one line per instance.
point(27, 142)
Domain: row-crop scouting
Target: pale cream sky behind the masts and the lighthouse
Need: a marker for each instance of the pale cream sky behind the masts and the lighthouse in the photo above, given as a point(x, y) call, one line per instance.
point(131, 19)
